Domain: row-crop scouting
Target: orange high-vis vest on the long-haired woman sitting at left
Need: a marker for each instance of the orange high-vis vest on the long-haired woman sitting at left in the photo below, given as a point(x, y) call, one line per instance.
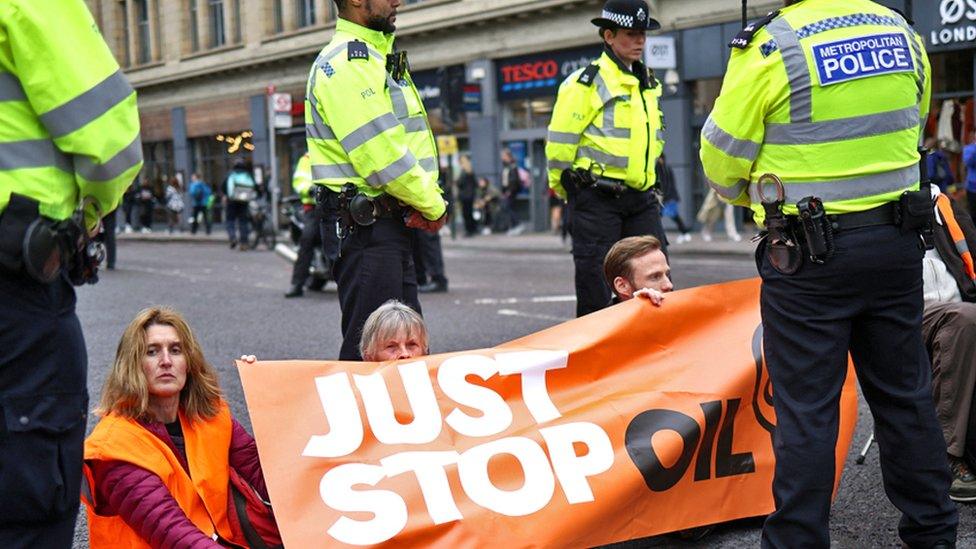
point(202, 494)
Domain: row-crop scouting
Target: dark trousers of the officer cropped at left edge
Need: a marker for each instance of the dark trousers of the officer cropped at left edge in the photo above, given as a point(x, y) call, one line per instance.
point(43, 402)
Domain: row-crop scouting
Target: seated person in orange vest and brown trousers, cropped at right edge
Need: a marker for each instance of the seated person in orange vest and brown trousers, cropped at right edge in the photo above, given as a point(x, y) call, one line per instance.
point(949, 332)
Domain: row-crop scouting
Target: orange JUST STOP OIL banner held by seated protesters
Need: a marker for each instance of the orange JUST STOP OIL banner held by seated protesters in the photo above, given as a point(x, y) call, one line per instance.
point(629, 422)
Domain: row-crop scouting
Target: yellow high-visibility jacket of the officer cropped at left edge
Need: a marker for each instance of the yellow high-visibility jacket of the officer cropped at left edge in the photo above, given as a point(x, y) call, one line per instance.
point(70, 128)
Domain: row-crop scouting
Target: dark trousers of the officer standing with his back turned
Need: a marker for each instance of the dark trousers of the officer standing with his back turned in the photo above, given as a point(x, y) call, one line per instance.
point(866, 299)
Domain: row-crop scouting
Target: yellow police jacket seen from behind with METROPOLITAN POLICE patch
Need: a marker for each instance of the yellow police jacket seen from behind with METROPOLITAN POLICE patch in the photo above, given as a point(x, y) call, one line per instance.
point(829, 96)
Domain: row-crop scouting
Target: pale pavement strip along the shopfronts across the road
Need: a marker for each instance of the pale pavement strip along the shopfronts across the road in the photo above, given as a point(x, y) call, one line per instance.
point(527, 242)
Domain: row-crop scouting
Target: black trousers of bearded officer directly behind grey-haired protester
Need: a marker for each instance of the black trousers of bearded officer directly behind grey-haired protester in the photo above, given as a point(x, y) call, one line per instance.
point(376, 265)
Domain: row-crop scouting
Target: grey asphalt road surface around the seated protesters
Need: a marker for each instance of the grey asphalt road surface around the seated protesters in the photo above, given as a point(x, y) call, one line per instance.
point(234, 302)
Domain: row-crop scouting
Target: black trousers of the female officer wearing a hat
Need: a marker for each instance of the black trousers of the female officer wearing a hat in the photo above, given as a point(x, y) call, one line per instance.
point(600, 220)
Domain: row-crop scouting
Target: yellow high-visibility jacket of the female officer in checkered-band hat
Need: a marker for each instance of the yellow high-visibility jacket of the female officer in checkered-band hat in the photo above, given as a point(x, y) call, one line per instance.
point(605, 118)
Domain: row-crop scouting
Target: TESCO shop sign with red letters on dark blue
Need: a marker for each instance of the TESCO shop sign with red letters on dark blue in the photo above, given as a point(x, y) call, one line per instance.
point(540, 74)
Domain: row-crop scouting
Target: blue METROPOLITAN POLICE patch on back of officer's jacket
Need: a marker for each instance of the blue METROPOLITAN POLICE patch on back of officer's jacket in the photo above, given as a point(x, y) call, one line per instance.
point(863, 57)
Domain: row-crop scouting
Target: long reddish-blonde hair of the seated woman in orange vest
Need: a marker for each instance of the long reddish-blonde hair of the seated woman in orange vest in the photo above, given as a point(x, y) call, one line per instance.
point(126, 390)
